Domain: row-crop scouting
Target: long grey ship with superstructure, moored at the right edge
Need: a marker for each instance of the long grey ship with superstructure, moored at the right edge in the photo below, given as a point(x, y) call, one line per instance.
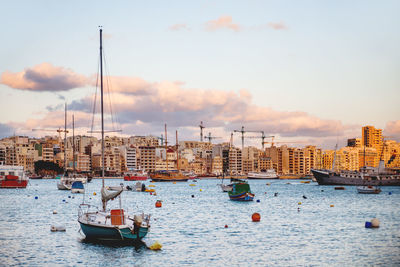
point(366, 176)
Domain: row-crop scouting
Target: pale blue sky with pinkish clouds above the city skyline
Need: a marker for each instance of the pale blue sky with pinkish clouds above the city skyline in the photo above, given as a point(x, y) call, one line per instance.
point(306, 72)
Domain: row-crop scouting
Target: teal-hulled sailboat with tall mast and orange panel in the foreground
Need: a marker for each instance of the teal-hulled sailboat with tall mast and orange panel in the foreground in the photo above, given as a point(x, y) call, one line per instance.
point(114, 224)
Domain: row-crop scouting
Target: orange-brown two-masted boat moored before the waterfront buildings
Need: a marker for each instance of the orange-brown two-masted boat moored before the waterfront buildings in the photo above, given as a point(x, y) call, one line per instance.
point(169, 175)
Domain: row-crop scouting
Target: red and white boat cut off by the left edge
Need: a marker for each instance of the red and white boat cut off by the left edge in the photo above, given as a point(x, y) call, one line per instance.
point(12, 177)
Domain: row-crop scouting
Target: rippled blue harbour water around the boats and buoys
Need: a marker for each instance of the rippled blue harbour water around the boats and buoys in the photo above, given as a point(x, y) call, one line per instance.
point(192, 232)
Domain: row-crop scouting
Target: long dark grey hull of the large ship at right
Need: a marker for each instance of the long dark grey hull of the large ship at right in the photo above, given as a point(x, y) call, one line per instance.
point(330, 178)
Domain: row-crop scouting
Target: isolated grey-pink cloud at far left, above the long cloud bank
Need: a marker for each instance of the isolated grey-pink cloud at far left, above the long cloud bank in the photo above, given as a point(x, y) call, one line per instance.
point(44, 77)
